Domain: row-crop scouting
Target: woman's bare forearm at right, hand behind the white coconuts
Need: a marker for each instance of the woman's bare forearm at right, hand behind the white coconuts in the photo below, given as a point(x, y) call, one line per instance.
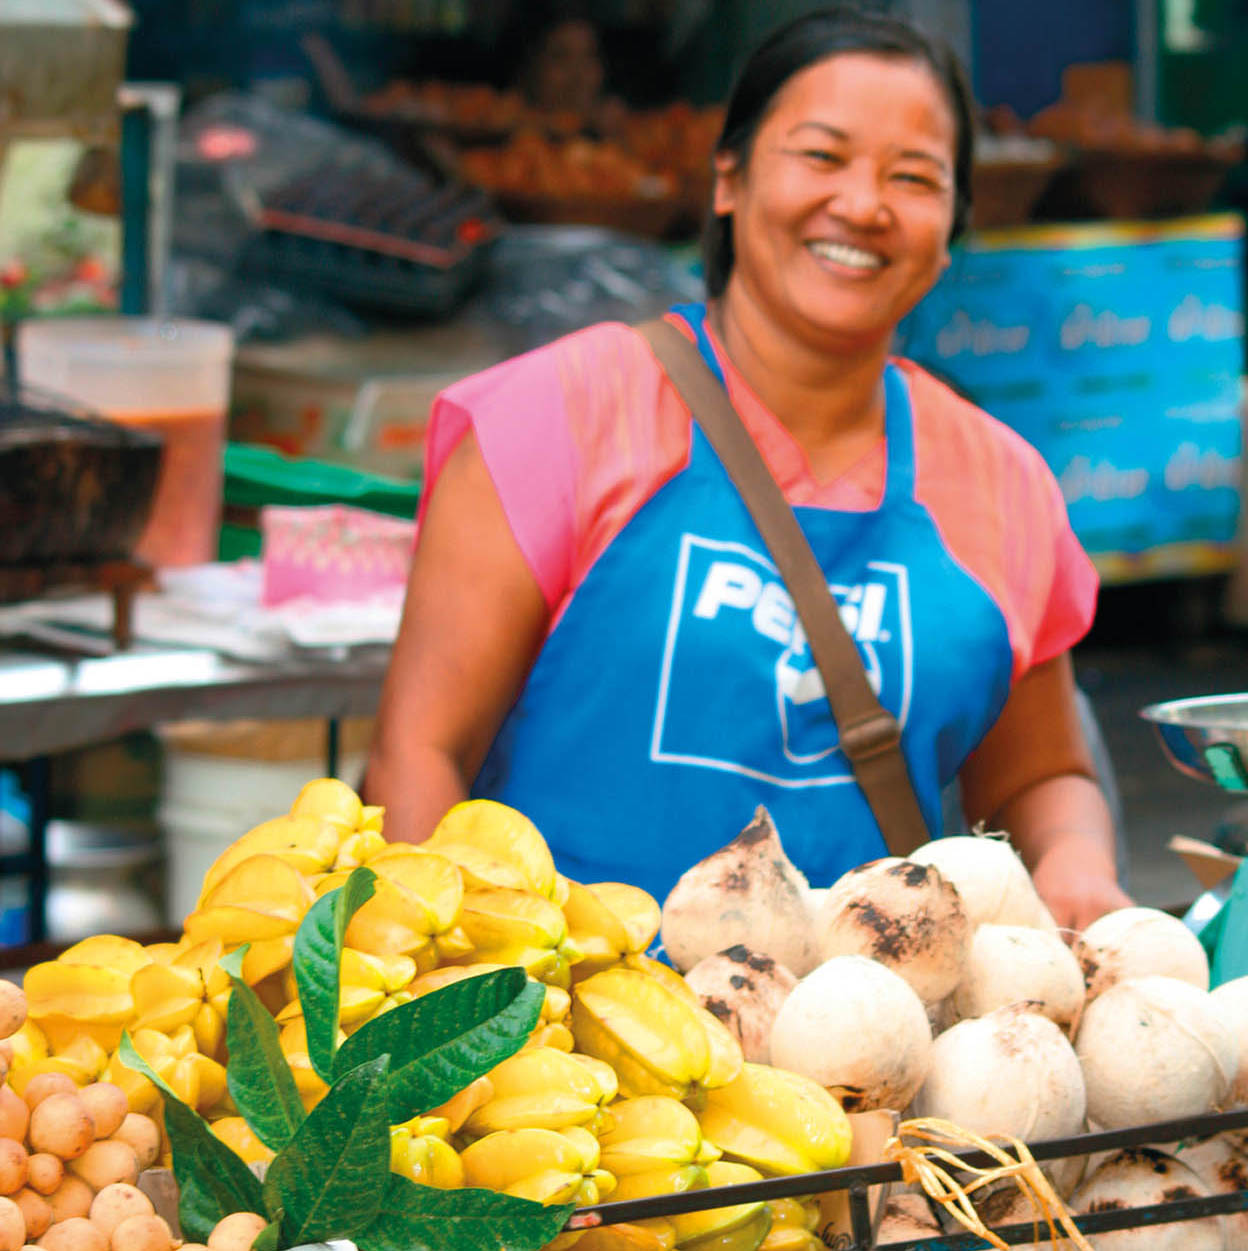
point(1034, 777)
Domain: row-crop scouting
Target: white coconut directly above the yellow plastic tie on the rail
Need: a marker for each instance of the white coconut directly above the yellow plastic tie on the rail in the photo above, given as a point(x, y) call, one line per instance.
point(1011, 1073)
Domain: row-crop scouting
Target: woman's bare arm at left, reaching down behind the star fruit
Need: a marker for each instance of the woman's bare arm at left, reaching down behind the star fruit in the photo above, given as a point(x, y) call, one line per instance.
point(473, 622)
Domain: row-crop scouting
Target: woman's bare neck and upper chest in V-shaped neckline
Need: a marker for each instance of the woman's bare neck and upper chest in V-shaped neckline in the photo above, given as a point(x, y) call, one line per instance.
point(831, 402)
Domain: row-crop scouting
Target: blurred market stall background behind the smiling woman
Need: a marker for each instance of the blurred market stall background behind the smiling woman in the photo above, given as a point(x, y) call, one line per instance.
point(316, 215)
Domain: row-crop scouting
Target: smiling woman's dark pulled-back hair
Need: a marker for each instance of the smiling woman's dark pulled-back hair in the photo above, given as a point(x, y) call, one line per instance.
point(803, 43)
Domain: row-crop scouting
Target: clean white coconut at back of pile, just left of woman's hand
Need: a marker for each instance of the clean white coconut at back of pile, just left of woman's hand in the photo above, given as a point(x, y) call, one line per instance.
point(991, 879)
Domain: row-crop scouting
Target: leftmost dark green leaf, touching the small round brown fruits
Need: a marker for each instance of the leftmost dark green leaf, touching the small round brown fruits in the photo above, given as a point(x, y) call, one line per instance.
point(212, 1180)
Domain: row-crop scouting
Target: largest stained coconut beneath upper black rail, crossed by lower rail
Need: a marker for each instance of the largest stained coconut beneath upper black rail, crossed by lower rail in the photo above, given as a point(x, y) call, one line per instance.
point(1136, 1179)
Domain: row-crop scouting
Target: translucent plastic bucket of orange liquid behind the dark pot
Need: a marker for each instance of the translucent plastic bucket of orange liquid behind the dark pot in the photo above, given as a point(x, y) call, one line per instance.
point(171, 378)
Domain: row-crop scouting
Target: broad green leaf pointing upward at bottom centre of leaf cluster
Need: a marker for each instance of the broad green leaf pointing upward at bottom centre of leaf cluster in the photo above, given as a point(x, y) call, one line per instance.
point(331, 1178)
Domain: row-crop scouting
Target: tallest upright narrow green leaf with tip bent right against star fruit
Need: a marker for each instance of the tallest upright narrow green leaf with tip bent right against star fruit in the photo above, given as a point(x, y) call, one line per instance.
point(318, 951)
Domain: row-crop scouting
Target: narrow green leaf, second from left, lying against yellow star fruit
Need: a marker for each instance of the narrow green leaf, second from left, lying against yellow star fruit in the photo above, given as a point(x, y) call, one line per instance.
point(259, 1079)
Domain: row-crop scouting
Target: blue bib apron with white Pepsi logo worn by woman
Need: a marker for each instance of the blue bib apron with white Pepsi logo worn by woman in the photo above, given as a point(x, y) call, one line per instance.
point(677, 692)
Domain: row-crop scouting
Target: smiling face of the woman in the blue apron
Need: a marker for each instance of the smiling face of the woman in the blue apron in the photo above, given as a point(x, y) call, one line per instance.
point(842, 216)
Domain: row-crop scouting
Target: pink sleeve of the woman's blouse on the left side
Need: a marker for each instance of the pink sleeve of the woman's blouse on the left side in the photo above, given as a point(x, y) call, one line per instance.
point(517, 413)
